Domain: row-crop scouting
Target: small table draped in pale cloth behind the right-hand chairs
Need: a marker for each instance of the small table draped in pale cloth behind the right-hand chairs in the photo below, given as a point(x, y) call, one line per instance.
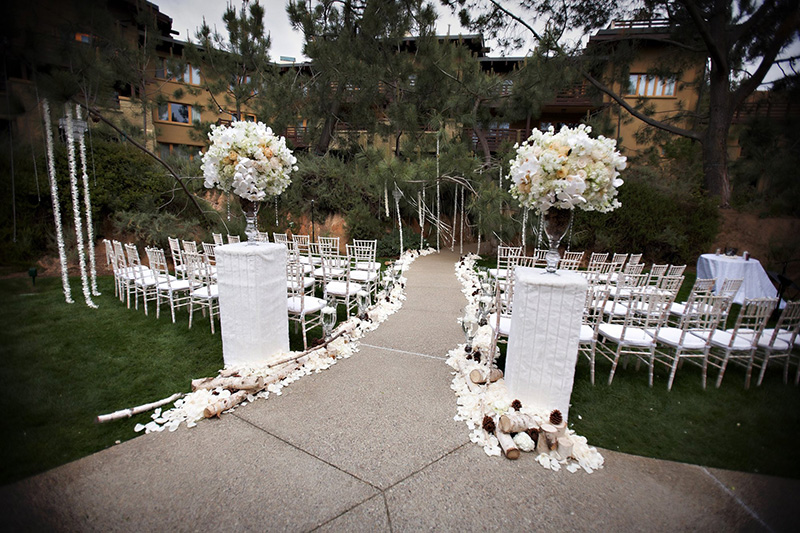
point(756, 282)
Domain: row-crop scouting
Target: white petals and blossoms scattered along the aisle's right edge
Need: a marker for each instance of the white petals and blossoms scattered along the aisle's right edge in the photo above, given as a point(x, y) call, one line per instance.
point(495, 401)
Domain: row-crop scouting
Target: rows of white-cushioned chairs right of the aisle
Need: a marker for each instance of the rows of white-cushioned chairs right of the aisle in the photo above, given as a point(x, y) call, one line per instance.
point(633, 314)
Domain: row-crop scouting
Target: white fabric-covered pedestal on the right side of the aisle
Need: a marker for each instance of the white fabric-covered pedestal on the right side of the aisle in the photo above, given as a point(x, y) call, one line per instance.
point(543, 337)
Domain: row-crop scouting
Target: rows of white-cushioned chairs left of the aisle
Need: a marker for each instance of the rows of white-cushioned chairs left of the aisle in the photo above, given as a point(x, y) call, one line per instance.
point(317, 274)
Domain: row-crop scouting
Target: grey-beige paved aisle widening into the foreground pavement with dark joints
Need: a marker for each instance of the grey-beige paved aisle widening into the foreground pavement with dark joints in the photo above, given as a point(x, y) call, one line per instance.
point(371, 445)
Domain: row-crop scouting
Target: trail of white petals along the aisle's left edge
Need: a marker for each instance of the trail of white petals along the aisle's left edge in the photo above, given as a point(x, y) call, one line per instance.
point(189, 409)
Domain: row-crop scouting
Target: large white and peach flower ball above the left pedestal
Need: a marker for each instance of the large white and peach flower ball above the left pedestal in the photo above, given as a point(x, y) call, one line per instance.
point(248, 159)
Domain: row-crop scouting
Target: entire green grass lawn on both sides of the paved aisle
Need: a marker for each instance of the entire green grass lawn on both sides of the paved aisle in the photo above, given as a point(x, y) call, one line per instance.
point(64, 364)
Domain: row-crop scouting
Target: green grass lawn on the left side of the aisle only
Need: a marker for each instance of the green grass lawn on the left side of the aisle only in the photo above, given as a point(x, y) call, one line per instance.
point(65, 364)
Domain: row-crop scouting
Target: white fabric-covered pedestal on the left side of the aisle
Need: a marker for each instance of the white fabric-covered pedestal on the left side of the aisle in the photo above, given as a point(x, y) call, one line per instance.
point(252, 302)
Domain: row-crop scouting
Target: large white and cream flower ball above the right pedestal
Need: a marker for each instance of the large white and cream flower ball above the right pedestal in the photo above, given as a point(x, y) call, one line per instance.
point(567, 169)
